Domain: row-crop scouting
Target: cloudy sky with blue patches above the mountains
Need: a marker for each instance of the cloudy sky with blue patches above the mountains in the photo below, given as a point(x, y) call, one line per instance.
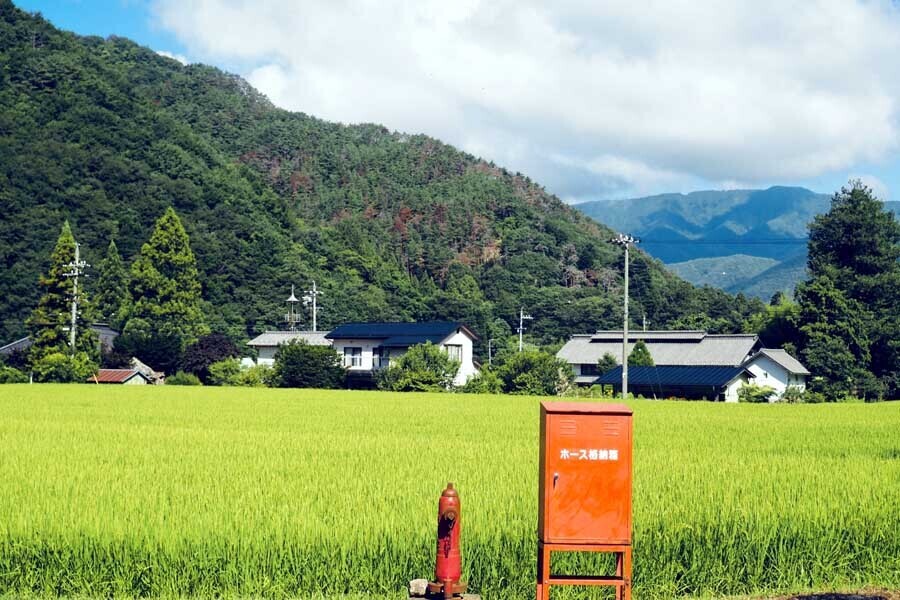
point(592, 99)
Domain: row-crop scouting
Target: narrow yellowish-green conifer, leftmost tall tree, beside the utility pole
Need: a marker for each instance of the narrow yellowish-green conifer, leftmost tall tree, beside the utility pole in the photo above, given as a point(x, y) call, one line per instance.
point(50, 321)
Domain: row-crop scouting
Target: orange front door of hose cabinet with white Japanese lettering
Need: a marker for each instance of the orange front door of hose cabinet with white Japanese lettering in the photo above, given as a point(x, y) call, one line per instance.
point(588, 479)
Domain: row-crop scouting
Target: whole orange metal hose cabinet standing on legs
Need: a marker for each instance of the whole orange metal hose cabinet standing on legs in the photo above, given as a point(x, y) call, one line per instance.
point(585, 489)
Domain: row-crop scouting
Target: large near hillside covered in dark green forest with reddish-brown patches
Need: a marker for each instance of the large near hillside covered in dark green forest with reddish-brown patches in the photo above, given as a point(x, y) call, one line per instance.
point(108, 134)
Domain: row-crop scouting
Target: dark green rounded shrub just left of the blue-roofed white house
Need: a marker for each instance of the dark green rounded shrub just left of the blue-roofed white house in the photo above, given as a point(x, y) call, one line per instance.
point(298, 364)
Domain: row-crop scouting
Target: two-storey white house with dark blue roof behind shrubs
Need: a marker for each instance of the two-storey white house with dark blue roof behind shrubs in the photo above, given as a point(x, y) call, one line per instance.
point(368, 347)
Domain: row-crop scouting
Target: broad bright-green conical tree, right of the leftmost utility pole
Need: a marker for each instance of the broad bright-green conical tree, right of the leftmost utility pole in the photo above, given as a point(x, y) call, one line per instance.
point(165, 294)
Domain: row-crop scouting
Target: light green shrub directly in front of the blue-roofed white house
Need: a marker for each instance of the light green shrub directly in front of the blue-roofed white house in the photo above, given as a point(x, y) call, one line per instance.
point(424, 368)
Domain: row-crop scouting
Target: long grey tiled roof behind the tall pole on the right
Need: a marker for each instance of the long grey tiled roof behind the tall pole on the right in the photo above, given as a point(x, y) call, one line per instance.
point(681, 348)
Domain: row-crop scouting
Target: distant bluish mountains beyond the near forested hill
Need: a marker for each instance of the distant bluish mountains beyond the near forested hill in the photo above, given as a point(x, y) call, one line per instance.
point(718, 237)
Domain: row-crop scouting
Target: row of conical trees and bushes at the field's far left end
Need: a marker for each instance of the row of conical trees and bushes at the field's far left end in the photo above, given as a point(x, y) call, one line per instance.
point(156, 303)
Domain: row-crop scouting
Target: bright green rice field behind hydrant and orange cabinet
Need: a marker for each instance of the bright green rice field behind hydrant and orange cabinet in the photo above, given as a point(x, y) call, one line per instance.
point(198, 492)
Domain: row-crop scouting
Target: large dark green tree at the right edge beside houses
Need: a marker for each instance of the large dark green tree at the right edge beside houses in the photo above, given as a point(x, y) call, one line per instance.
point(849, 305)
